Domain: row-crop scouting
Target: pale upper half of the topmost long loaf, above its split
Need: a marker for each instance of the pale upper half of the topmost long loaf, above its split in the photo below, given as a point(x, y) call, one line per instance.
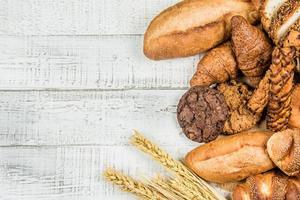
point(193, 13)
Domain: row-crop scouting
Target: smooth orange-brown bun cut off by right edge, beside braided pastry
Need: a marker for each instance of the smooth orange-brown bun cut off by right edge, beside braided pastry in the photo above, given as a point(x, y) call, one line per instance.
point(294, 120)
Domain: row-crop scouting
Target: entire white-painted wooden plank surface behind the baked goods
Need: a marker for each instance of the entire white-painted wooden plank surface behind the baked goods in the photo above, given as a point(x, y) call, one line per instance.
point(73, 84)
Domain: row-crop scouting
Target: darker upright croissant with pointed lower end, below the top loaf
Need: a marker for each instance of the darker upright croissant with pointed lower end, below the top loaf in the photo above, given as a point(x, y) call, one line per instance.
point(252, 49)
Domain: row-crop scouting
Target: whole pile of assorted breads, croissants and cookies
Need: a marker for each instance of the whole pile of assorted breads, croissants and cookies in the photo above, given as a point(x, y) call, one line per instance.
point(246, 77)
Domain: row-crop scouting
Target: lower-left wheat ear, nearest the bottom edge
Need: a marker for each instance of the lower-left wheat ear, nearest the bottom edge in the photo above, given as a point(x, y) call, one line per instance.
point(128, 184)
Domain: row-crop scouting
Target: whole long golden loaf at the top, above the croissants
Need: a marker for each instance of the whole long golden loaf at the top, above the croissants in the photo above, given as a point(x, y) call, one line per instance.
point(193, 26)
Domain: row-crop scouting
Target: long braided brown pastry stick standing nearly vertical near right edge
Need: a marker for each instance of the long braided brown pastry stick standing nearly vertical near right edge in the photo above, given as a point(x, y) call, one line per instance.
point(281, 85)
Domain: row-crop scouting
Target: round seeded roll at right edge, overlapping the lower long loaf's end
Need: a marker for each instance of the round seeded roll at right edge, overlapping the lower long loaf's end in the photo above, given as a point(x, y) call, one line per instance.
point(284, 150)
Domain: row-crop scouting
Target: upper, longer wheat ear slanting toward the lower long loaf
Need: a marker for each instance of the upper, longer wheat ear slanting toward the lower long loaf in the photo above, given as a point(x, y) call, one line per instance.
point(175, 166)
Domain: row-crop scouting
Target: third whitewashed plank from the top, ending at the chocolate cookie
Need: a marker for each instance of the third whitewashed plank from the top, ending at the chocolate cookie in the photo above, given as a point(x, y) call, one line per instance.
point(88, 117)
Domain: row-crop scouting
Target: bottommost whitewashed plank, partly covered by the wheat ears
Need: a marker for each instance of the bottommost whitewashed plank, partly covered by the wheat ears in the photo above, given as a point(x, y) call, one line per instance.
point(72, 172)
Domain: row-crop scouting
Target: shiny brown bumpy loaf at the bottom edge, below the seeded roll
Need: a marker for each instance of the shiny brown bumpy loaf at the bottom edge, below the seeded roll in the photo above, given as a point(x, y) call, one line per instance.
point(271, 185)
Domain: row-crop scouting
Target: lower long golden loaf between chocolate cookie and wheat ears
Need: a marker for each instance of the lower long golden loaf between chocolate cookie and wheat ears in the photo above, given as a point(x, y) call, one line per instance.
point(231, 158)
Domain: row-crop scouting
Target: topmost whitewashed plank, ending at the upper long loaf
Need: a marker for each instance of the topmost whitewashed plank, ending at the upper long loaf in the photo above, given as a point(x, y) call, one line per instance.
point(78, 17)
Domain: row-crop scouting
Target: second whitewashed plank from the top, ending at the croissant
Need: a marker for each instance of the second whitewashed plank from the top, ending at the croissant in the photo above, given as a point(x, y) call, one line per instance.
point(106, 62)
